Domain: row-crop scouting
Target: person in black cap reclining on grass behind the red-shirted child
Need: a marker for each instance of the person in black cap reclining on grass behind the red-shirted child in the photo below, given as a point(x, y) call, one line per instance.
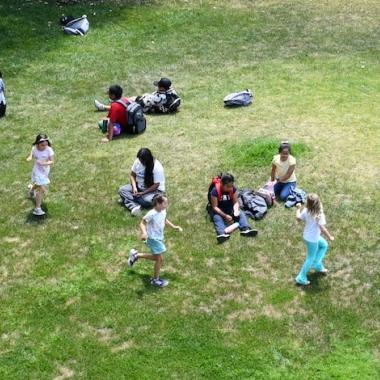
point(164, 100)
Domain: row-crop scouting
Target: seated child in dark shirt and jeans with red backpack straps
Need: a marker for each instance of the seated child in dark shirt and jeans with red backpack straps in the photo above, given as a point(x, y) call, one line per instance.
point(225, 210)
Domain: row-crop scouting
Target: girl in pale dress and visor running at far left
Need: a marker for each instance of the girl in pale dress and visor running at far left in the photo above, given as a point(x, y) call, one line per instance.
point(43, 156)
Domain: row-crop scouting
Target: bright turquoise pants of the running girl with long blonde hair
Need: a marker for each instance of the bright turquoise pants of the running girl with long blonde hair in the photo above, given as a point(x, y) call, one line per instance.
point(314, 259)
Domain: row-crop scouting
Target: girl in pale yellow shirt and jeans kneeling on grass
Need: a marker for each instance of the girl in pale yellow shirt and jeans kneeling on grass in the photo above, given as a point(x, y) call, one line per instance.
point(283, 171)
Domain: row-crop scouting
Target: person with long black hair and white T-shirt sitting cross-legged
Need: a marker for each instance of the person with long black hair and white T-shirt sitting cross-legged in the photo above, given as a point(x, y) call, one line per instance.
point(147, 180)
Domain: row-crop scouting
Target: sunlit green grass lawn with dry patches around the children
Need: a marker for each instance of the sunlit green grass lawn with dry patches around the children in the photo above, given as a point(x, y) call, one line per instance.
point(70, 307)
